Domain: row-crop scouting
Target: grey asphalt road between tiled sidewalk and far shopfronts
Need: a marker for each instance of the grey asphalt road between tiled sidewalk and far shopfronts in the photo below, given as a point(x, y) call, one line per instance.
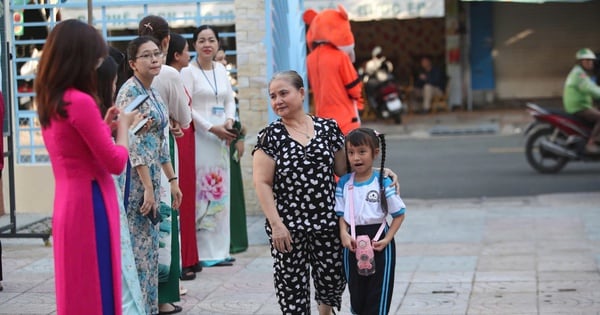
point(479, 166)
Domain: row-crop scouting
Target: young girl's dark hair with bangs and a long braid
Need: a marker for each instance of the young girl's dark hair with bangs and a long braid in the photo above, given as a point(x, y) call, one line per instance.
point(372, 139)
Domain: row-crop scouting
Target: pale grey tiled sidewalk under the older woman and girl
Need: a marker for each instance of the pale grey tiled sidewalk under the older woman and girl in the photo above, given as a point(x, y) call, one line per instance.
point(526, 255)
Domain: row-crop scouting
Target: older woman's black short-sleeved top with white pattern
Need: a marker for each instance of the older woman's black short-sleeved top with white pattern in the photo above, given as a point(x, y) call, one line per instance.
point(304, 183)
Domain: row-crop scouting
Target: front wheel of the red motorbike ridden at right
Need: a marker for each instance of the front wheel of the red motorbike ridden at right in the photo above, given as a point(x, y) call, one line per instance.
point(542, 160)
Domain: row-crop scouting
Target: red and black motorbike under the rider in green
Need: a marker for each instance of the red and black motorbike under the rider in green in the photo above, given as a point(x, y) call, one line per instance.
point(555, 138)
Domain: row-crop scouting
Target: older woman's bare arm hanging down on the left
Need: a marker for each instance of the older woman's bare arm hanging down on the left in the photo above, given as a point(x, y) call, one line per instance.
point(263, 169)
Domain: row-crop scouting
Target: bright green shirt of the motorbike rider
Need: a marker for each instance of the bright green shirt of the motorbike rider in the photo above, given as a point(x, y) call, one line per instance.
point(579, 91)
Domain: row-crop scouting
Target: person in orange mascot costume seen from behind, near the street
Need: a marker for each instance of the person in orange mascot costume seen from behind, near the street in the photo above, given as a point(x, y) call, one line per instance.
point(334, 81)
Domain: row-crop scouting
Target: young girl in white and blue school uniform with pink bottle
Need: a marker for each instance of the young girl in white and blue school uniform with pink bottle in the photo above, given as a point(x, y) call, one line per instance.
point(364, 198)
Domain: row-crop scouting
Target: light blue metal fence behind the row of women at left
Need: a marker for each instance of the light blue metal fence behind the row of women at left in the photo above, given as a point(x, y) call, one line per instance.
point(117, 21)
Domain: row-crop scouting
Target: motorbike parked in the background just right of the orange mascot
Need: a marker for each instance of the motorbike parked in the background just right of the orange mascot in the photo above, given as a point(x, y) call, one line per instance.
point(384, 96)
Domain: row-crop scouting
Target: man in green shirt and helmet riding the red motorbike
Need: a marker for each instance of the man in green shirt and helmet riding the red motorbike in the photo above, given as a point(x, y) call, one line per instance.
point(579, 92)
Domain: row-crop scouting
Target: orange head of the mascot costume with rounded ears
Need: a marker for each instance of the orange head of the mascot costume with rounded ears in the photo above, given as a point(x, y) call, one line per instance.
point(330, 26)
